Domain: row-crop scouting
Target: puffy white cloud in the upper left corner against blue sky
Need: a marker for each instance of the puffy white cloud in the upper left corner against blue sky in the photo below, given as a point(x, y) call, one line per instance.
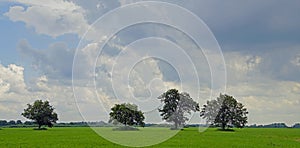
point(53, 18)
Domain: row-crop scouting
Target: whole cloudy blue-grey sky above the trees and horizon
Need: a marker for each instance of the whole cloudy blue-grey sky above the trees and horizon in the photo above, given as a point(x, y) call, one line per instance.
point(86, 56)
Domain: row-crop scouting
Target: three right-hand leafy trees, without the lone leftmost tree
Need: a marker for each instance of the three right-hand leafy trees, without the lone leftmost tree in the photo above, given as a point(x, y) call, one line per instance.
point(225, 111)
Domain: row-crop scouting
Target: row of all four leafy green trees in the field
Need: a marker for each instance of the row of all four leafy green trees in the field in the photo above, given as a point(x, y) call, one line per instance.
point(225, 111)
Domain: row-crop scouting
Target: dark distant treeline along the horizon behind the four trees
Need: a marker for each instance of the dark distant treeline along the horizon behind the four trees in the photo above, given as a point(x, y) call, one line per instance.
point(19, 123)
